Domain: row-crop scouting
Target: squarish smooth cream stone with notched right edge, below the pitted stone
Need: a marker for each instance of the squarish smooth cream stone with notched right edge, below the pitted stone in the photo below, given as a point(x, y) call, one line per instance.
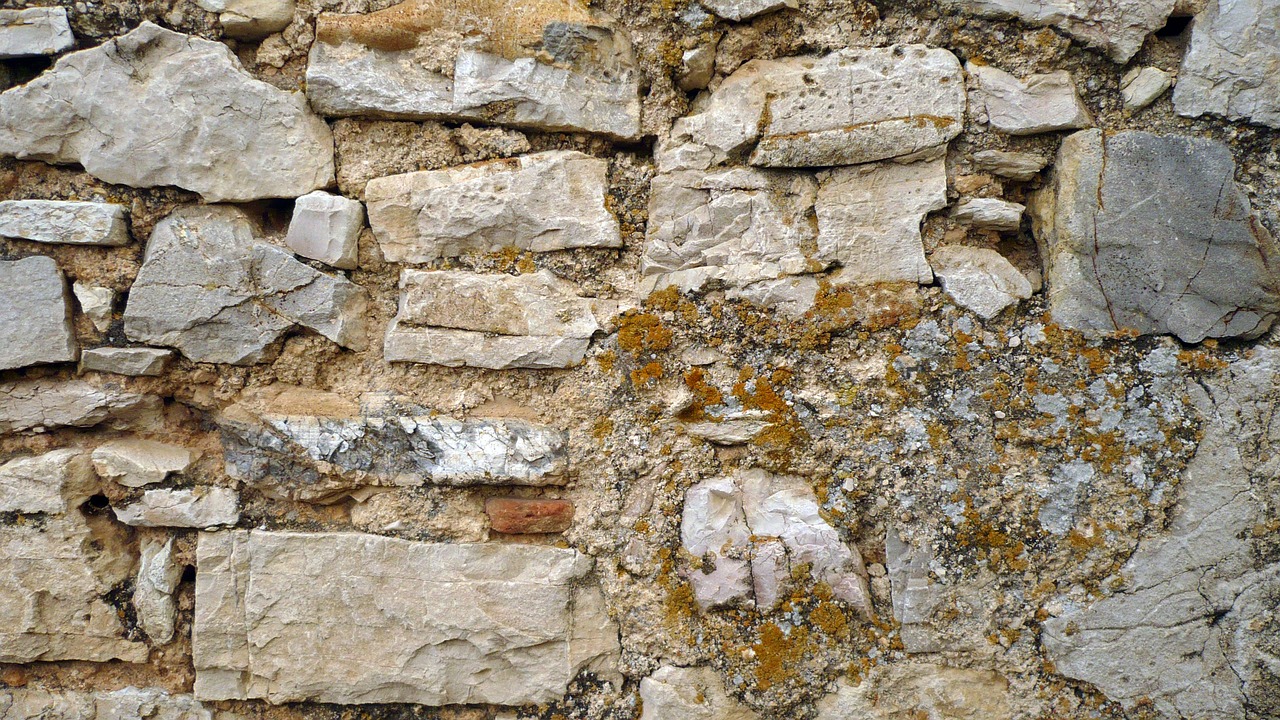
point(870, 220)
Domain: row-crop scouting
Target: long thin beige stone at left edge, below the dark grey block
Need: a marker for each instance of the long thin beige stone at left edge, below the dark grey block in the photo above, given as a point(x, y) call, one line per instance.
point(51, 404)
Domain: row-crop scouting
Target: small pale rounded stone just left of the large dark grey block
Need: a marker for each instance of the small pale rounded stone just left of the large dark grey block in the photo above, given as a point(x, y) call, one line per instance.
point(981, 280)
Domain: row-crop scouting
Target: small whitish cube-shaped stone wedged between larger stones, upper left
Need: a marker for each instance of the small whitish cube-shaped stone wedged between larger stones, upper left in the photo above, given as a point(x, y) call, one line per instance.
point(327, 227)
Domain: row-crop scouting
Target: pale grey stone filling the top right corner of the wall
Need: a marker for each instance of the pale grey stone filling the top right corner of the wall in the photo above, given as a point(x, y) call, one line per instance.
point(1231, 67)
